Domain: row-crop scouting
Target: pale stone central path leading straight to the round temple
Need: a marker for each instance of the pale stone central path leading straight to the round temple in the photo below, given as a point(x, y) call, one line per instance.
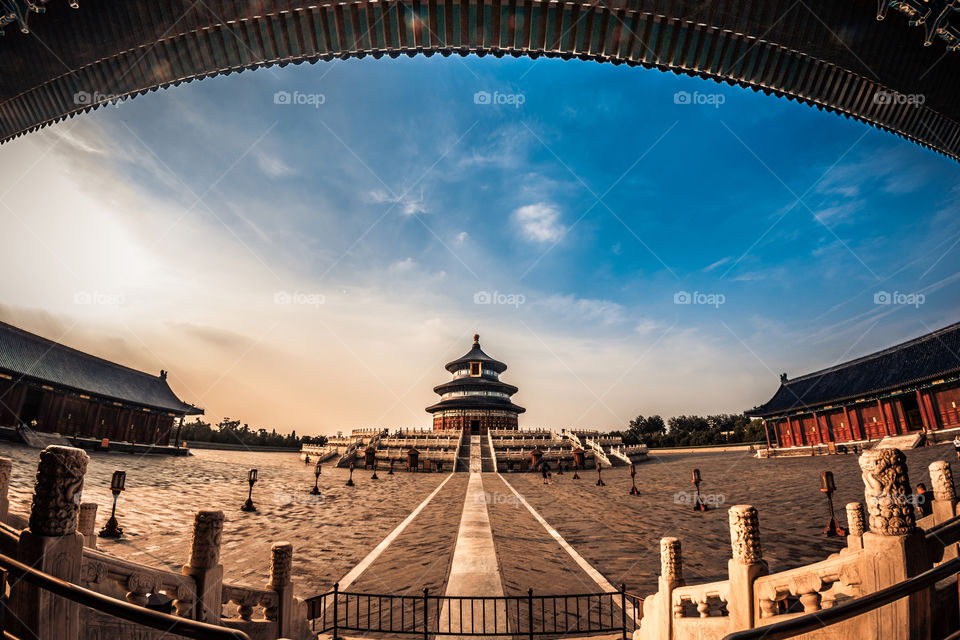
point(474, 570)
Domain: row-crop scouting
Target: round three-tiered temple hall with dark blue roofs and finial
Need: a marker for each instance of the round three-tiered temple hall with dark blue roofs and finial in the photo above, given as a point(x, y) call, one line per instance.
point(475, 400)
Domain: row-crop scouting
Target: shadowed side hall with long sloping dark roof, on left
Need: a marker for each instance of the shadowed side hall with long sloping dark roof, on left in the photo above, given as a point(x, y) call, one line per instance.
point(77, 394)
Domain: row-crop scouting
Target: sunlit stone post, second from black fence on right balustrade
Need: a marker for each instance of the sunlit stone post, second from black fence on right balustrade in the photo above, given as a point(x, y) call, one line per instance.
point(745, 566)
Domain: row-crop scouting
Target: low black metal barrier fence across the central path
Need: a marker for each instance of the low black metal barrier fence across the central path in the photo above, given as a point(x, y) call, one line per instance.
point(530, 616)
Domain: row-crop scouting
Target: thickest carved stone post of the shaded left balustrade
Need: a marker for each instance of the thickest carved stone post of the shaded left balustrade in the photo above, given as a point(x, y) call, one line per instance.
point(51, 544)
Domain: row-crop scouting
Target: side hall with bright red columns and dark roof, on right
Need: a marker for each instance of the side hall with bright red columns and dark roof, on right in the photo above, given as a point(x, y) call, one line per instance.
point(910, 387)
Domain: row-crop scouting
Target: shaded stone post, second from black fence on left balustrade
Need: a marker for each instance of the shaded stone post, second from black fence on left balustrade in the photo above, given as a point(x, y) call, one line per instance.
point(204, 566)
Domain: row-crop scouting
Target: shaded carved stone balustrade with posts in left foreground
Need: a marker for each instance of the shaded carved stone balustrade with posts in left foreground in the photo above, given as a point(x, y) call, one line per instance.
point(60, 540)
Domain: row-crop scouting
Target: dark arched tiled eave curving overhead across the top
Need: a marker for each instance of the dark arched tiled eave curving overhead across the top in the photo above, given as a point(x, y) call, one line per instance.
point(832, 54)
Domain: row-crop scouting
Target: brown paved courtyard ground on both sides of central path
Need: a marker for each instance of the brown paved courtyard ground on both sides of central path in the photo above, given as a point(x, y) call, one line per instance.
point(618, 534)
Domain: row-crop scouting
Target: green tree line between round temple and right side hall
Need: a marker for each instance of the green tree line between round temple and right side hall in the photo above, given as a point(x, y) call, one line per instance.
point(692, 431)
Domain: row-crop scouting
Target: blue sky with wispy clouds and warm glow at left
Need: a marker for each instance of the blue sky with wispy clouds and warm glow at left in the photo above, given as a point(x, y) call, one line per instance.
point(392, 199)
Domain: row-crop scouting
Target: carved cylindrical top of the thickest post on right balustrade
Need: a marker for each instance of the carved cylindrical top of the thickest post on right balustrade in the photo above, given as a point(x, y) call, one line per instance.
point(887, 492)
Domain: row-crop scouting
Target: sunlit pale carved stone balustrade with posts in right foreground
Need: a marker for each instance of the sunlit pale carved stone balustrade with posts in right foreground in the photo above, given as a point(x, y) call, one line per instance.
point(892, 550)
